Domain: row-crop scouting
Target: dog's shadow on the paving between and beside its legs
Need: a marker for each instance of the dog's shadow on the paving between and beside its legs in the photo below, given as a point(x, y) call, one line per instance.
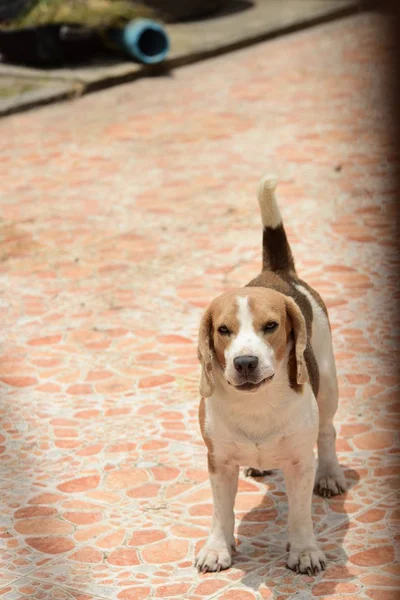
point(262, 538)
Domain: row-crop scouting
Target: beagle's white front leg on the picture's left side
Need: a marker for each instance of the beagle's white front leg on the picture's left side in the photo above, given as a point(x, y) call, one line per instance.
point(217, 552)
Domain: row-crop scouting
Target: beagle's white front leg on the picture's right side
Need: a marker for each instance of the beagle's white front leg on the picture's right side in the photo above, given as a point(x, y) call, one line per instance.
point(304, 555)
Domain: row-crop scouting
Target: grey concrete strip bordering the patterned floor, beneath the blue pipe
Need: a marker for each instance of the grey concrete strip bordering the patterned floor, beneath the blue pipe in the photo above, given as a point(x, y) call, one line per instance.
point(190, 42)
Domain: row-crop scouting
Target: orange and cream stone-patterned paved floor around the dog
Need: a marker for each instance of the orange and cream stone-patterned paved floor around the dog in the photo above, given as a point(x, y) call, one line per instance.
point(123, 214)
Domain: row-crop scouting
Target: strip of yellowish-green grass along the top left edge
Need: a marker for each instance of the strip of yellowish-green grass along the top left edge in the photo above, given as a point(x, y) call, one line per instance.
point(93, 13)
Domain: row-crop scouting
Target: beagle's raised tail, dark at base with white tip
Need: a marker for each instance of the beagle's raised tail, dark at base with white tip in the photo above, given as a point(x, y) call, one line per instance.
point(277, 255)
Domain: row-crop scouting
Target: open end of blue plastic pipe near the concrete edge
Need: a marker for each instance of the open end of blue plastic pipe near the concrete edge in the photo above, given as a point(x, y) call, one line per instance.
point(143, 40)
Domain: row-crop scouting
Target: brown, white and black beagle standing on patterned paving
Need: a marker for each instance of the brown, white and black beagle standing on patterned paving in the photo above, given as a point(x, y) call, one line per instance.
point(268, 394)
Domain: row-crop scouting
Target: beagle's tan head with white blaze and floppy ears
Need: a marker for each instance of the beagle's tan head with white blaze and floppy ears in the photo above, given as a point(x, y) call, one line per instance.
point(244, 337)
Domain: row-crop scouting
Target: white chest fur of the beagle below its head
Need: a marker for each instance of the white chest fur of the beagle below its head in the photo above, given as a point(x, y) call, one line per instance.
point(264, 429)
